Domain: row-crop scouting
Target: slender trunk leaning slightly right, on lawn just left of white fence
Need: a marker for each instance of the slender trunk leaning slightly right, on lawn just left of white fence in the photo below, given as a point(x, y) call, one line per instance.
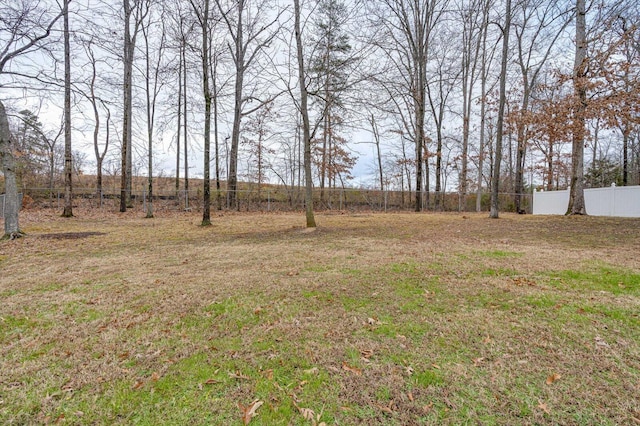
point(495, 207)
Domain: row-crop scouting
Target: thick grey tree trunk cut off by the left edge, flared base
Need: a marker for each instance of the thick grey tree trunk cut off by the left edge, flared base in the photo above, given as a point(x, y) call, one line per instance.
point(11, 199)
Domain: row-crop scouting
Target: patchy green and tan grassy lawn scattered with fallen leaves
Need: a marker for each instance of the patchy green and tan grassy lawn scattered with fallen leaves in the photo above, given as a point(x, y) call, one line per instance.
point(391, 319)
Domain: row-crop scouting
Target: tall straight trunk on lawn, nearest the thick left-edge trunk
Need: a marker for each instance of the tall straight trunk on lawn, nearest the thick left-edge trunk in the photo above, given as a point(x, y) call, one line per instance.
point(68, 166)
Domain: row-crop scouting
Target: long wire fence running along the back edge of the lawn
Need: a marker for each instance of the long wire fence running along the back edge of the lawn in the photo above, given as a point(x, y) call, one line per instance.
point(277, 199)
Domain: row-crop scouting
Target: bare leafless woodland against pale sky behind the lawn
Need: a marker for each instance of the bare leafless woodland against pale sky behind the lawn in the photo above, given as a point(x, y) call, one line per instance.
point(474, 97)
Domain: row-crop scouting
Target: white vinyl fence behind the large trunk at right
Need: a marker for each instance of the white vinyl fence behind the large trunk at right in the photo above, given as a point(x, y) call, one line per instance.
point(622, 201)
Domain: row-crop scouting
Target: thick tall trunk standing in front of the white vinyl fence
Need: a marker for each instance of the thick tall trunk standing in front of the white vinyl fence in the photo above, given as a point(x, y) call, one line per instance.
point(576, 195)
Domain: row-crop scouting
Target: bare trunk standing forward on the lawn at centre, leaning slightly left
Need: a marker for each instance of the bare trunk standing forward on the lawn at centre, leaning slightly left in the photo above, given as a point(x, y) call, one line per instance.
point(311, 222)
